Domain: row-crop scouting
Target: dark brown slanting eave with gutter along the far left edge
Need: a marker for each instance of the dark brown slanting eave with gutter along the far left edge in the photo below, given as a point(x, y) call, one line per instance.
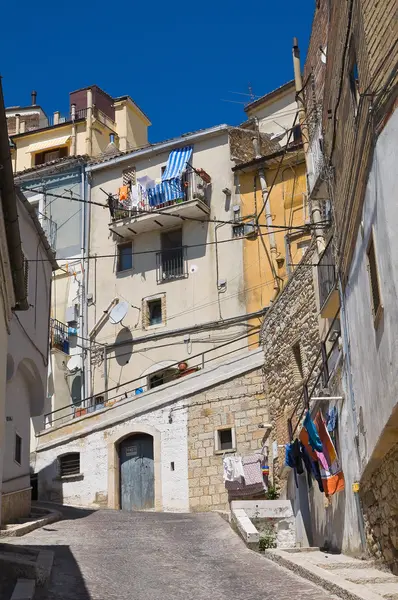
point(9, 204)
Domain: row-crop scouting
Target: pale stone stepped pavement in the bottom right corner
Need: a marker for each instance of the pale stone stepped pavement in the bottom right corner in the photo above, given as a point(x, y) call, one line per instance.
point(348, 577)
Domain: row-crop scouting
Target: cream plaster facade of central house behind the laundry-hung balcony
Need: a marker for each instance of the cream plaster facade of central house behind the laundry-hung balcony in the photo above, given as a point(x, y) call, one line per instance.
point(189, 301)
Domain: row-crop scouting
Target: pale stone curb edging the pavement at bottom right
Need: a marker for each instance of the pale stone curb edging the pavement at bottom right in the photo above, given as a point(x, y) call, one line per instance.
point(343, 589)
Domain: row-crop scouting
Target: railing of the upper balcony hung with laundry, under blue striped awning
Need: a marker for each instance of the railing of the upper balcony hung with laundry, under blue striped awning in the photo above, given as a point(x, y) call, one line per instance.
point(193, 188)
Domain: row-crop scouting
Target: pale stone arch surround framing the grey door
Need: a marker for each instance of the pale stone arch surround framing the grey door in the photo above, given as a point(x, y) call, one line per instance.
point(114, 462)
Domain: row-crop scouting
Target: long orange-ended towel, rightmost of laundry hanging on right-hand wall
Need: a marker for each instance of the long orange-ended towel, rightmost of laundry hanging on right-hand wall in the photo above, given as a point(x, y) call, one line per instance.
point(331, 473)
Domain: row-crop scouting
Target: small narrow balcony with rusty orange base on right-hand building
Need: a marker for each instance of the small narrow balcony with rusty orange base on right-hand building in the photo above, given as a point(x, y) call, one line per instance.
point(327, 282)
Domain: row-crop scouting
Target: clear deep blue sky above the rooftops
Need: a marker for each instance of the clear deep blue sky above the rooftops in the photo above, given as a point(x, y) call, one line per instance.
point(177, 60)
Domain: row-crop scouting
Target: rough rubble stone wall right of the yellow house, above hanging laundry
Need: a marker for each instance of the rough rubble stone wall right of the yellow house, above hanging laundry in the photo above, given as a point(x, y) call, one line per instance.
point(292, 321)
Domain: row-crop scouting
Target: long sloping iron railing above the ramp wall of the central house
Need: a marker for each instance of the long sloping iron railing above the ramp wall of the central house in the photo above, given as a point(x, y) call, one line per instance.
point(137, 387)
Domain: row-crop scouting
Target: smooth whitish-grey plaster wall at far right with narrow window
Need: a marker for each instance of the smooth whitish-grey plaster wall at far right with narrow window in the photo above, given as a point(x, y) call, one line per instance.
point(374, 351)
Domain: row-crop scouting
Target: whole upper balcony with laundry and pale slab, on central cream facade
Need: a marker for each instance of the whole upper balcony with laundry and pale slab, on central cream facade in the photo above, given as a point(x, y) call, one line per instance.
point(140, 214)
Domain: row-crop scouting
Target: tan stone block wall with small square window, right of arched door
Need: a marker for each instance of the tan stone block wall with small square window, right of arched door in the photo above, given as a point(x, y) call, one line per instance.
point(239, 403)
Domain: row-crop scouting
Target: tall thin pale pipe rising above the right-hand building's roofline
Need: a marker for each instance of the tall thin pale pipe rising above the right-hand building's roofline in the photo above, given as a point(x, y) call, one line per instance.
point(316, 215)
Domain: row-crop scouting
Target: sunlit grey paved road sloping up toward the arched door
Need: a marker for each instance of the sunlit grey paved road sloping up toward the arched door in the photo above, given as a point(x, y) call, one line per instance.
point(113, 555)
